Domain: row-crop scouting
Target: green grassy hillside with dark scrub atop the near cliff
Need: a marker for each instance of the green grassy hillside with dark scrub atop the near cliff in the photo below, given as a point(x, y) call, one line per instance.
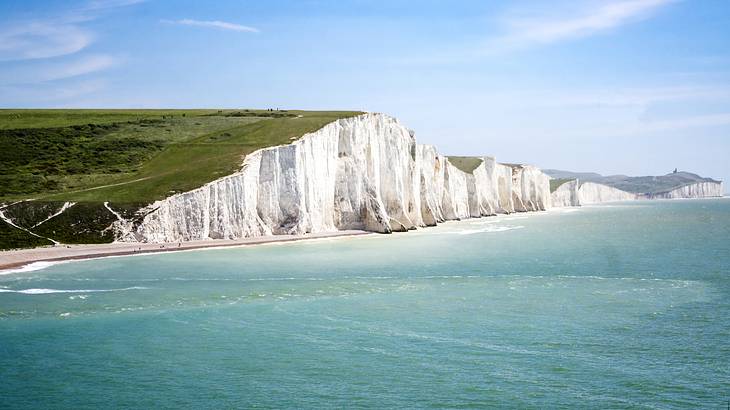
point(129, 158)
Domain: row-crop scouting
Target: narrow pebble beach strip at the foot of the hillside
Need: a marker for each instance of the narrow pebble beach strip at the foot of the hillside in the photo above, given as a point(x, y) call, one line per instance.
point(20, 258)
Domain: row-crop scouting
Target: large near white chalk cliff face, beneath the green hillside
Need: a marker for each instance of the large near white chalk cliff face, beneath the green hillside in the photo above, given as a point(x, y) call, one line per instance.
point(365, 172)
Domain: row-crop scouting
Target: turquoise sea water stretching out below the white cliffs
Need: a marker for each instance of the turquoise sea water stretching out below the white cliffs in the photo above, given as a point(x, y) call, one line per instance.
point(616, 306)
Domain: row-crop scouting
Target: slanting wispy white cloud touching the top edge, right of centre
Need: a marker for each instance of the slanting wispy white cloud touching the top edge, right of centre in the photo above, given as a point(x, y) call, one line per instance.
point(524, 32)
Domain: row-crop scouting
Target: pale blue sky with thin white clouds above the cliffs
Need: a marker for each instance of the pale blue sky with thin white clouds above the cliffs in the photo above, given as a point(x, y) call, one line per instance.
point(635, 87)
